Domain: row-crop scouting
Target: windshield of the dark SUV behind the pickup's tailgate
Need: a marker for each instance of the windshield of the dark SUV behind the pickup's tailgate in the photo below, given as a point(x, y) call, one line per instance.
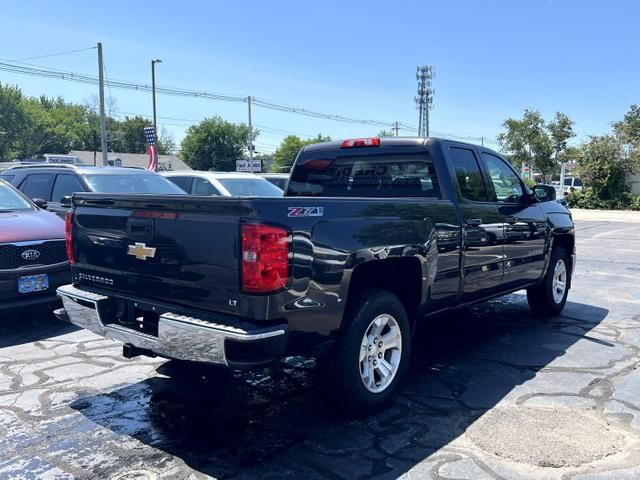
point(132, 183)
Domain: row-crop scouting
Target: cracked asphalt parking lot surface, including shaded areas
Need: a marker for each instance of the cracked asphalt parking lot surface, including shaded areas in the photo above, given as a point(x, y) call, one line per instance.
point(492, 393)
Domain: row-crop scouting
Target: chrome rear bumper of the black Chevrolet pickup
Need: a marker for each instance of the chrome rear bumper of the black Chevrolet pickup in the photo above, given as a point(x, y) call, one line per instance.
point(179, 336)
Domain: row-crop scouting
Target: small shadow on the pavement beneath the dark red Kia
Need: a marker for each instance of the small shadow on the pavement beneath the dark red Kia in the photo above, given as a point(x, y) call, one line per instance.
point(25, 326)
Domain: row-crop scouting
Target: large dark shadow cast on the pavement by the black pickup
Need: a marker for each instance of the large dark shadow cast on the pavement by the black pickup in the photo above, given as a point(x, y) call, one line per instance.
point(250, 425)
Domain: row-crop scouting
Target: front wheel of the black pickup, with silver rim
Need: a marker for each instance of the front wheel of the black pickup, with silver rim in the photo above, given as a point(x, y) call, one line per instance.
point(549, 297)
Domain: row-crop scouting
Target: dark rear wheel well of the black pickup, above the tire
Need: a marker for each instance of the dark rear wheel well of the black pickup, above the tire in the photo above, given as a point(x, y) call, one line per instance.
point(400, 276)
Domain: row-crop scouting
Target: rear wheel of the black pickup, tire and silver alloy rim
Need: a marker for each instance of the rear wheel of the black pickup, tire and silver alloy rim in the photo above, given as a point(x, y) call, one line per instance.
point(370, 358)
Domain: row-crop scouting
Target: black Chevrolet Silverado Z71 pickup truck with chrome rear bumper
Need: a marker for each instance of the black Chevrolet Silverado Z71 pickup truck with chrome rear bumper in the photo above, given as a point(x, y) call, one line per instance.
point(372, 236)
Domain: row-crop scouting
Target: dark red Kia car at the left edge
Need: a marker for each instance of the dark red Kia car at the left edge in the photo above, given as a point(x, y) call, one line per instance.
point(33, 257)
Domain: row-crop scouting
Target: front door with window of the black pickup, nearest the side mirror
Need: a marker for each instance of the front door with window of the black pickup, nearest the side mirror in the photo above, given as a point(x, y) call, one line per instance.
point(524, 221)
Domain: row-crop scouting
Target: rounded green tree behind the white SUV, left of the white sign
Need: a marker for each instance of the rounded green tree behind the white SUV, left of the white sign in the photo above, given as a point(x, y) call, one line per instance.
point(215, 144)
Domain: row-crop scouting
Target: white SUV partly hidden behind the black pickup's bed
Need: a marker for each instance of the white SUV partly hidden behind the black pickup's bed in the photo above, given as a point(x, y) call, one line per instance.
point(226, 184)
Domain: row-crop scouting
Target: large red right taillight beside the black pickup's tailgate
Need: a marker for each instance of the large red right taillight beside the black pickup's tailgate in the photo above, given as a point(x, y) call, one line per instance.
point(265, 258)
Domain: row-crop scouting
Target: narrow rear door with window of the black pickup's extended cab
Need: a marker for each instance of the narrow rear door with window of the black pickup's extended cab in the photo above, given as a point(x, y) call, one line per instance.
point(483, 228)
